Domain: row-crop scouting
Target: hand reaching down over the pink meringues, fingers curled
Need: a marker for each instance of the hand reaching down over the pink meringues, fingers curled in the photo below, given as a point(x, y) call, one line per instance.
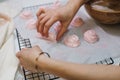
point(47, 17)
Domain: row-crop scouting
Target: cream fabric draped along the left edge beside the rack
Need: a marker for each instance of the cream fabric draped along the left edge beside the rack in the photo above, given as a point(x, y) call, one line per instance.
point(8, 60)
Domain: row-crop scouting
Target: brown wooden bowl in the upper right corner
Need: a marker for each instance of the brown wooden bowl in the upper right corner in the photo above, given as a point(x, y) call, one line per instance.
point(104, 11)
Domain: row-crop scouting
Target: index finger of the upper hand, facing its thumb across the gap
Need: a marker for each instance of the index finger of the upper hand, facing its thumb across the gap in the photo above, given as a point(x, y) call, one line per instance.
point(48, 24)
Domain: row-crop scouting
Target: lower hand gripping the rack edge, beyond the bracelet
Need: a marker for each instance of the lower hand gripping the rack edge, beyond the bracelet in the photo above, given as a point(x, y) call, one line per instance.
point(27, 57)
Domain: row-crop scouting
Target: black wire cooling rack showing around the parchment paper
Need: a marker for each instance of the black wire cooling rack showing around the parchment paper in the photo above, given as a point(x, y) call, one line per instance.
point(25, 43)
